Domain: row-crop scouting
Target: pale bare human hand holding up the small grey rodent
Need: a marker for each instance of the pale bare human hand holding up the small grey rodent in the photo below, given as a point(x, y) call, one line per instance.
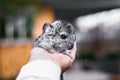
point(64, 61)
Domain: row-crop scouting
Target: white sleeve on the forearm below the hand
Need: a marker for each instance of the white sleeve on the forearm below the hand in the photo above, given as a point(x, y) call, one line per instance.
point(40, 70)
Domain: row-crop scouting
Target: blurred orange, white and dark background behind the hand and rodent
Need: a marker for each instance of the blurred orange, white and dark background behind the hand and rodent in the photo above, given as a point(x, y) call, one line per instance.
point(97, 24)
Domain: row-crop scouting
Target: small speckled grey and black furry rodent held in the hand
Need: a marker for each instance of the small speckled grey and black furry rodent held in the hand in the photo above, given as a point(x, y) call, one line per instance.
point(57, 36)
